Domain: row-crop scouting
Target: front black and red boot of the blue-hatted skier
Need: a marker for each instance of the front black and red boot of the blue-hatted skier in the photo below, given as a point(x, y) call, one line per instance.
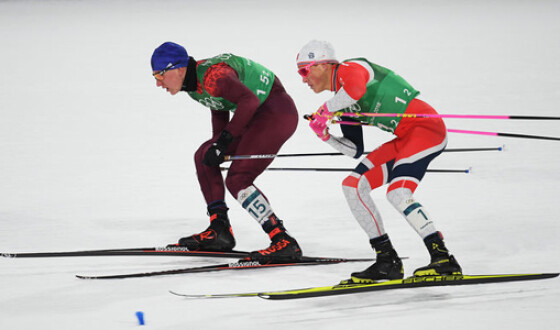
point(217, 237)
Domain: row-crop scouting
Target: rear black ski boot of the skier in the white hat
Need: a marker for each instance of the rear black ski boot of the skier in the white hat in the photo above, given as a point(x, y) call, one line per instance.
point(442, 263)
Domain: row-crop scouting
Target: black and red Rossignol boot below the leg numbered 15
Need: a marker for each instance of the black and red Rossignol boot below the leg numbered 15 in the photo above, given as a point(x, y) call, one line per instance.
point(283, 248)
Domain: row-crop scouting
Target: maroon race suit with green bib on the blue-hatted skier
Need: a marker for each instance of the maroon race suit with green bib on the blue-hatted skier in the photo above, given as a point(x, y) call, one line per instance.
point(263, 117)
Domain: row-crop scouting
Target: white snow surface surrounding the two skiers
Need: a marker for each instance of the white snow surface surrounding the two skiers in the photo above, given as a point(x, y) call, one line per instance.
point(94, 156)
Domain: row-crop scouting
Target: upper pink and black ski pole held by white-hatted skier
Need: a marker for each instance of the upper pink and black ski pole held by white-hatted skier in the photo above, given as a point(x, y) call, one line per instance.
point(427, 115)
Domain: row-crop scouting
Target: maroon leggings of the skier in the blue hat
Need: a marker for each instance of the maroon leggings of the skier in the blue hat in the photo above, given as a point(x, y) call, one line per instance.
point(271, 126)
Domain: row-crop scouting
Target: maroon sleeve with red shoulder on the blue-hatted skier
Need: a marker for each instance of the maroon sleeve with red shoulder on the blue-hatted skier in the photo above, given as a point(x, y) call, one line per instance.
point(220, 80)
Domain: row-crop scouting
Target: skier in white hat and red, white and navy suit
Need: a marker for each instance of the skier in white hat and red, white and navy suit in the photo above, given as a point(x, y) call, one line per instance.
point(362, 86)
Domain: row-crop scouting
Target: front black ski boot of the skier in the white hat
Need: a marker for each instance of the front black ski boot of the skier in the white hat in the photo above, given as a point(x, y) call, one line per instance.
point(388, 265)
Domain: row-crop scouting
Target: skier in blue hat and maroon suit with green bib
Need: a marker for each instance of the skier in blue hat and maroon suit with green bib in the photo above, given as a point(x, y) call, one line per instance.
point(263, 117)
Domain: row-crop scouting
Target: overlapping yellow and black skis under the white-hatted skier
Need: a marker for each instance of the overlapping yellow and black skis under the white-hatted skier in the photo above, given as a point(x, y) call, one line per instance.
point(411, 282)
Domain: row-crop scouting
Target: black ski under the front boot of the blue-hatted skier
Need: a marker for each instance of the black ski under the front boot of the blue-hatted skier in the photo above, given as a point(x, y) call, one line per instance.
point(148, 251)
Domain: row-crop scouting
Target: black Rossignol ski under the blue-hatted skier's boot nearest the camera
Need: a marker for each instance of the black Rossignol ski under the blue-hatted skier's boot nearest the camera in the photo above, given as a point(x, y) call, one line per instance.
point(241, 264)
